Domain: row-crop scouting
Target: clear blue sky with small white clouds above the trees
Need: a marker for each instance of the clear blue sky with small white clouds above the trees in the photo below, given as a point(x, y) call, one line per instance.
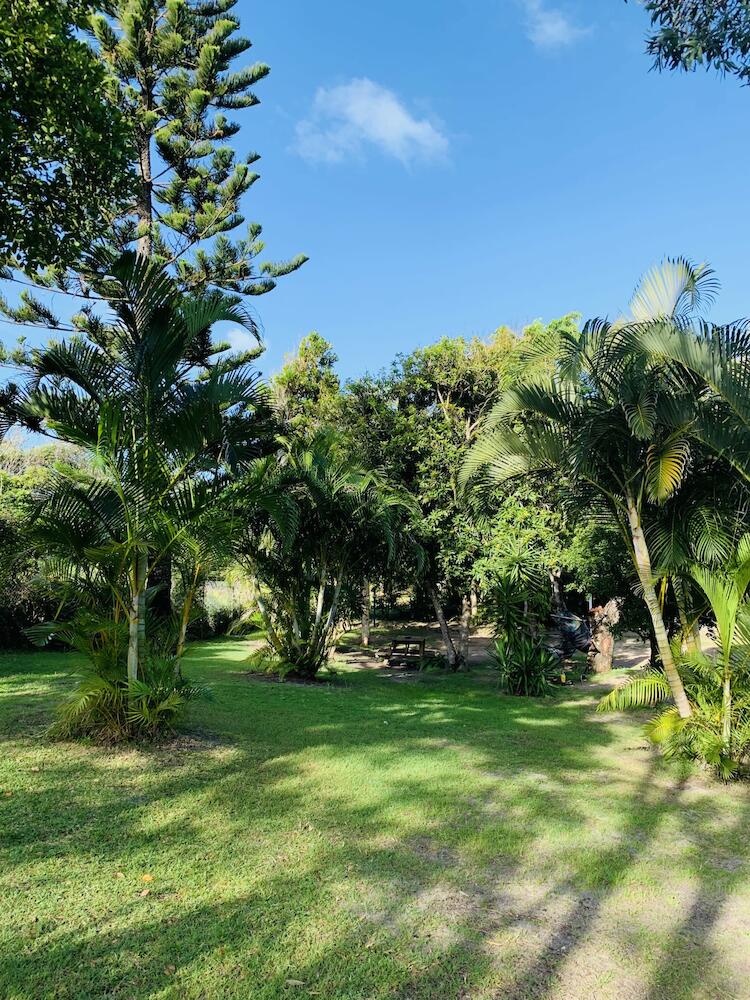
point(450, 167)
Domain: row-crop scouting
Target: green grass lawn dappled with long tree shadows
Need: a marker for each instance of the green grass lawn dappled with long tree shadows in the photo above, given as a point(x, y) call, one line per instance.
point(420, 838)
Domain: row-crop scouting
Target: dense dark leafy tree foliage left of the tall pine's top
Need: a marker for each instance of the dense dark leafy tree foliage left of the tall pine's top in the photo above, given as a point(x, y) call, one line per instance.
point(65, 150)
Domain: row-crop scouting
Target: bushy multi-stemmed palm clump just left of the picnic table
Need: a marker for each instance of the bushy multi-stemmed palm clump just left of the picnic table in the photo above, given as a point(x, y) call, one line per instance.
point(345, 519)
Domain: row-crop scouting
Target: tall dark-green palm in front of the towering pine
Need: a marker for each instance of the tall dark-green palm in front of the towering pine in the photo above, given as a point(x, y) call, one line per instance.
point(164, 420)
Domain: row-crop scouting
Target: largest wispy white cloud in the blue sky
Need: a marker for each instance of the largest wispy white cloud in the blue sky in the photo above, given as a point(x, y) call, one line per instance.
point(345, 120)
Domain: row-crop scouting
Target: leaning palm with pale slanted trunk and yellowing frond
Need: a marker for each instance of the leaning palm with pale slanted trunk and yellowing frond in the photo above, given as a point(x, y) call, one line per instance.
point(612, 423)
